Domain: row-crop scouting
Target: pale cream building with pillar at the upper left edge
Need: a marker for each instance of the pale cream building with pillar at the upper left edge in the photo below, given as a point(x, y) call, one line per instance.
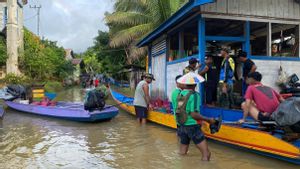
point(11, 26)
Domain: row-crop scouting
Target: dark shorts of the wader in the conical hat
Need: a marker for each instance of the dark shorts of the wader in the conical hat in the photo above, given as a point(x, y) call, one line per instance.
point(188, 133)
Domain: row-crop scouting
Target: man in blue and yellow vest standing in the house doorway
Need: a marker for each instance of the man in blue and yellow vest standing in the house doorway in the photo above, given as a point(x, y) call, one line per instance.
point(226, 80)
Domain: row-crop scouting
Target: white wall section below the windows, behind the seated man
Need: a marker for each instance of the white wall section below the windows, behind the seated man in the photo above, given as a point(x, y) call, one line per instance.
point(270, 70)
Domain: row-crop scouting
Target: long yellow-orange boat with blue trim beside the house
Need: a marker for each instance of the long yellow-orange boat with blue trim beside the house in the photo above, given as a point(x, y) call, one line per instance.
point(247, 137)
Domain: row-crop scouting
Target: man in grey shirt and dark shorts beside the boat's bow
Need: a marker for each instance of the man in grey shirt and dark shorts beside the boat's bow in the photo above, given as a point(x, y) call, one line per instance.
point(142, 98)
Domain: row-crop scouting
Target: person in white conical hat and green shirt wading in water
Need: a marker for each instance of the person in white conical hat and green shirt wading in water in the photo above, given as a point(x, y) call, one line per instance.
point(187, 111)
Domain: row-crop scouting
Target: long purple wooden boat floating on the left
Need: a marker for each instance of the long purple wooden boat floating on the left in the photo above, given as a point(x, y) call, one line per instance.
point(66, 110)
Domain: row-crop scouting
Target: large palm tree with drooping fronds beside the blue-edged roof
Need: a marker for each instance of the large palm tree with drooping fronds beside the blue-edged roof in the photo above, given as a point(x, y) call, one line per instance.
point(134, 19)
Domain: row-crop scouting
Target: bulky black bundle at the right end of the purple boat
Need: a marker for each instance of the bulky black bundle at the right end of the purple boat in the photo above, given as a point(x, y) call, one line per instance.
point(94, 99)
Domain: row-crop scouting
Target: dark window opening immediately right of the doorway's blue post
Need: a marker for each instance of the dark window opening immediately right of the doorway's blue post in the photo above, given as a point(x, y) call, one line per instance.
point(258, 38)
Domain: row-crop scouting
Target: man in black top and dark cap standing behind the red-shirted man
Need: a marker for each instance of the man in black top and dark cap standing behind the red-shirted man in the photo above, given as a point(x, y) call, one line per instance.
point(248, 67)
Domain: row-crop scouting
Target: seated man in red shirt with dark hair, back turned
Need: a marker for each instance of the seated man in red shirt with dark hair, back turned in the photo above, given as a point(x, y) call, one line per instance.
point(261, 101)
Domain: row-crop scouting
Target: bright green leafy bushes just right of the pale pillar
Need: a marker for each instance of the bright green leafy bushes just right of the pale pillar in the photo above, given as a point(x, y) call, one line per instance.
point(43, 59)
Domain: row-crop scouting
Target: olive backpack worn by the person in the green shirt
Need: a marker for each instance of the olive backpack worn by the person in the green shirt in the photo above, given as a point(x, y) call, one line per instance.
point(181, 114)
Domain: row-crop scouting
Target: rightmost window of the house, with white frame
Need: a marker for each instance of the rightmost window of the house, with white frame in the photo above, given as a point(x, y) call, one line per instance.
point(285, 40)
